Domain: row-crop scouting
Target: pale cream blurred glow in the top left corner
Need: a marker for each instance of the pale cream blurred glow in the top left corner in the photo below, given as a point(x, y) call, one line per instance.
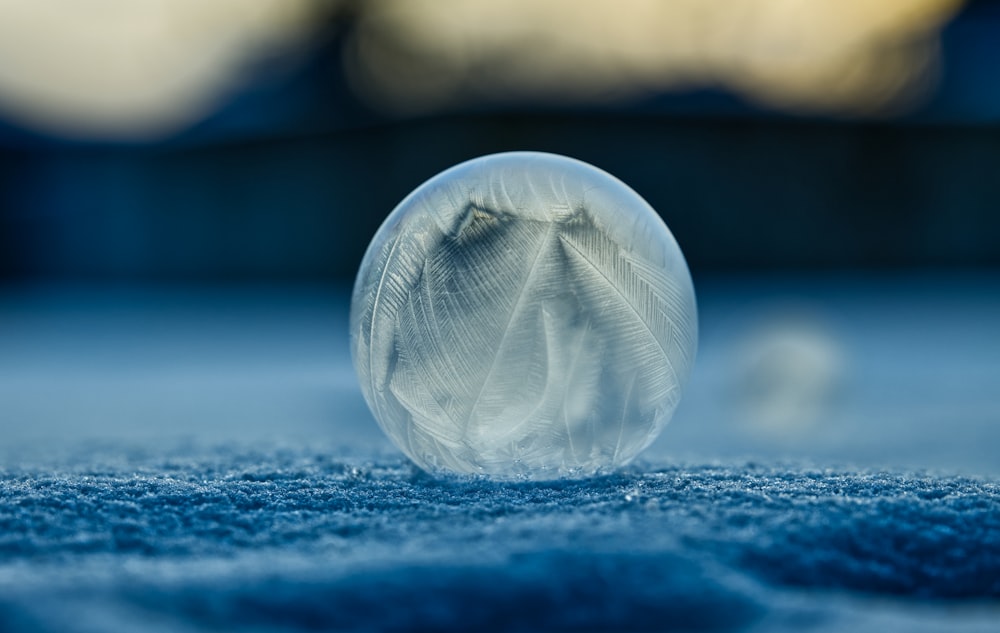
point(125, 68)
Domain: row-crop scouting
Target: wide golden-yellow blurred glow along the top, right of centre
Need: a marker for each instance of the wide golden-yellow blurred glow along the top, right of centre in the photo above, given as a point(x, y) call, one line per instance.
point(849, 56)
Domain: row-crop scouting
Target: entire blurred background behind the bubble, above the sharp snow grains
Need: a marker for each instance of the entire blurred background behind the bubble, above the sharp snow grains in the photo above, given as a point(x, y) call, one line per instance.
point(187, 188)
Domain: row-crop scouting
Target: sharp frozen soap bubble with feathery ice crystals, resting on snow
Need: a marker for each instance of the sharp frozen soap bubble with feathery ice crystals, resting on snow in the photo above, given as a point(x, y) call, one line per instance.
point(523, 315)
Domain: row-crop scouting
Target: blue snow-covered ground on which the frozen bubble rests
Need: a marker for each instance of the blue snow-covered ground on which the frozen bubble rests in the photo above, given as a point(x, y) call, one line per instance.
point(199, 459)
